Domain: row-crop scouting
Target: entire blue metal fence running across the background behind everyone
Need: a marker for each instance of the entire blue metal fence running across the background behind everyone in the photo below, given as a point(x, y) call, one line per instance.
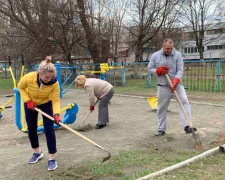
point(202, 75)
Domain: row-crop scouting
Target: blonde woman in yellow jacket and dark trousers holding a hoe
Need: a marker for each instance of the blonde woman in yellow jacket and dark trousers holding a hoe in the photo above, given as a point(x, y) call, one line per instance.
point(41, 89)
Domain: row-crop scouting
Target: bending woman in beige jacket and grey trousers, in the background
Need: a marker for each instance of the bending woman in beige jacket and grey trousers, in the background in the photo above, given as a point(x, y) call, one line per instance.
point(103, 91)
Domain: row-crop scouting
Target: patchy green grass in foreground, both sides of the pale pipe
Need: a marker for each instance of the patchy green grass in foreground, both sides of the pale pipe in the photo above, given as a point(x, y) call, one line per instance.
point(130, 165)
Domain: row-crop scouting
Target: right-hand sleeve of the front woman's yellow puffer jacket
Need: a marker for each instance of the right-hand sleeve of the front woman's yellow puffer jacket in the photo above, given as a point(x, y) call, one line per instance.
point(56, 99)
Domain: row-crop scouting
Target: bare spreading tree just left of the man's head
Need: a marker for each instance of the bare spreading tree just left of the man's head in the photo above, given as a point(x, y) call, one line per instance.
point(148, 18)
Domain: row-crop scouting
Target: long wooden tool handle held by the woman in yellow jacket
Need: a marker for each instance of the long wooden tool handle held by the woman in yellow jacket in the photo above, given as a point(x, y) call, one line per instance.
point(70, 129)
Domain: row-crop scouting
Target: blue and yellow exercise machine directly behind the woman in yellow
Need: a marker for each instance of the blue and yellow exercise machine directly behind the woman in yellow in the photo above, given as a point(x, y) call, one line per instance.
point(69, 117)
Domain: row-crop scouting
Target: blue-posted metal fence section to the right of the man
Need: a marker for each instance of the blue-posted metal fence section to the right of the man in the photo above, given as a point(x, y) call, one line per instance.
point(204, 75)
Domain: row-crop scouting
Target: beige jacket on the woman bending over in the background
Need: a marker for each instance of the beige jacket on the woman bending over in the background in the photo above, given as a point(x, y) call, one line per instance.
point(96, 88)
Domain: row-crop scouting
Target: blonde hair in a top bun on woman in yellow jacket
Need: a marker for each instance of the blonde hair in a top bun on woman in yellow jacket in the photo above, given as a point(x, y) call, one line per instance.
point(47, 66)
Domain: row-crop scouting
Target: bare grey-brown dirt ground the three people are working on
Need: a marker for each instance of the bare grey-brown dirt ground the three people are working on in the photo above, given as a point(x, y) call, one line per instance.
point(132, 126)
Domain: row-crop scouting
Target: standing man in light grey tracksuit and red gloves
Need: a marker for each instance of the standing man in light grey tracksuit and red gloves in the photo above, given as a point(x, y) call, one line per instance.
point(169, 61)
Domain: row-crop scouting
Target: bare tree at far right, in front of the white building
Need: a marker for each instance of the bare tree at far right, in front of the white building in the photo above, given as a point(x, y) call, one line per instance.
point(198, 16)
